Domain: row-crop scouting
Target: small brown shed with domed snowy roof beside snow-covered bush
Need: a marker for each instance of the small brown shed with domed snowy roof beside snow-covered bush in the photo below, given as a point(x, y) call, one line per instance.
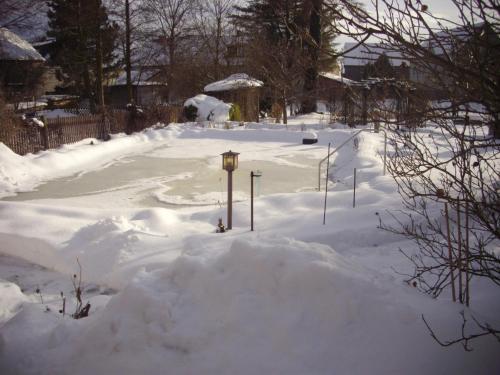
point(240, 89)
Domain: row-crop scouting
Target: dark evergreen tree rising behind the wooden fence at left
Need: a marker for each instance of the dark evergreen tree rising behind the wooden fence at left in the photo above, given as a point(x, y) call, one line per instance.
point(82, 33)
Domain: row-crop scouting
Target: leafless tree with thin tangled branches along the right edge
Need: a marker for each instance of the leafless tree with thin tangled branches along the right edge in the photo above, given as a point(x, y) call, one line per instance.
point(449, 177)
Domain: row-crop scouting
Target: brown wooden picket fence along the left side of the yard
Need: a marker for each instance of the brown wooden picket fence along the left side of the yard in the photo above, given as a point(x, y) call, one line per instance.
point(23, 137)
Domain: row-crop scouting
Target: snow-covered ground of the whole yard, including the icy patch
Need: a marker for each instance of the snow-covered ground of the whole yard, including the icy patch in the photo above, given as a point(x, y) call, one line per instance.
point(170, 295)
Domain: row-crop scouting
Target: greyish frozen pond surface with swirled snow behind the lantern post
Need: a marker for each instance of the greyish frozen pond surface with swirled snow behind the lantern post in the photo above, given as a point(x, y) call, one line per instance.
point(172, 182)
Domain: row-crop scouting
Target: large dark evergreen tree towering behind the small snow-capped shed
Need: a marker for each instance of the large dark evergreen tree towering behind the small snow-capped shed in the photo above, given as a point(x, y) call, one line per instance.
point(296, 37)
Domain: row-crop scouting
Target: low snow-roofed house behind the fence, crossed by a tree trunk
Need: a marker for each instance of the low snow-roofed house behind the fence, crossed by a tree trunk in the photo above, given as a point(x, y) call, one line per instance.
point(147, 89)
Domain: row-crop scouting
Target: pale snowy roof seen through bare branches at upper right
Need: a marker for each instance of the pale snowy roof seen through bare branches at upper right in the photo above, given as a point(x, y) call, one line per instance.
point(369, 53)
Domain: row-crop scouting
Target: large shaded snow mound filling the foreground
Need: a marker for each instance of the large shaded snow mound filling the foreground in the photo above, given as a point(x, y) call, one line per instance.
point(262, 306)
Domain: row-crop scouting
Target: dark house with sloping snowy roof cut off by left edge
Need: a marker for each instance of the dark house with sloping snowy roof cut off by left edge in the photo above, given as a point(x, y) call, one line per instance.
point(21, 67)
